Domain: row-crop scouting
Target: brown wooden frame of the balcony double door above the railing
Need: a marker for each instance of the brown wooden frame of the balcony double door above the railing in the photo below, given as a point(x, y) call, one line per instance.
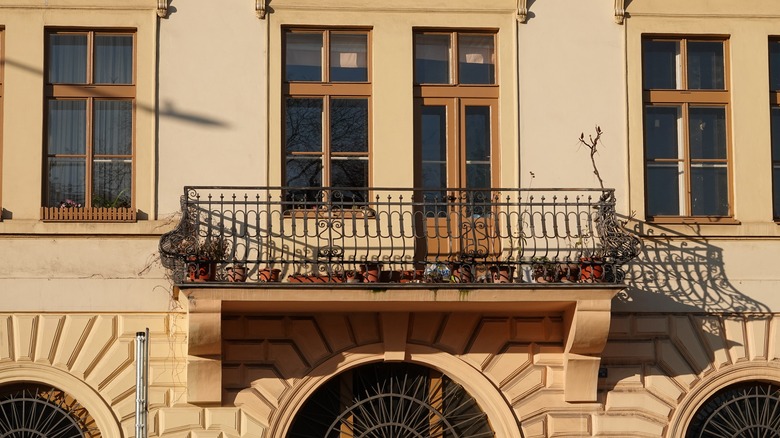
point(455, 97)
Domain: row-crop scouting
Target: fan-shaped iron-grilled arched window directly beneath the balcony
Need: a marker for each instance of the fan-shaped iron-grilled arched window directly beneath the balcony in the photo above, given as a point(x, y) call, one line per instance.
point(391, 400)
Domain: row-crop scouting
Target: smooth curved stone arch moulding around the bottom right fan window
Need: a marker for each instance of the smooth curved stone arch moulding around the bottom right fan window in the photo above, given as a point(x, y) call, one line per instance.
point(743, 372)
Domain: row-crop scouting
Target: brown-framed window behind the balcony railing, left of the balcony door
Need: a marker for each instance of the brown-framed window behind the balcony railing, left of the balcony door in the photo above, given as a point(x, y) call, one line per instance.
point(327, 107)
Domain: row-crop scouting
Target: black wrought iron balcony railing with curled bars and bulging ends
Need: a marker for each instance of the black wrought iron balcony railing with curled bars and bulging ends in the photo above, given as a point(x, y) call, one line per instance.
point(346, 235)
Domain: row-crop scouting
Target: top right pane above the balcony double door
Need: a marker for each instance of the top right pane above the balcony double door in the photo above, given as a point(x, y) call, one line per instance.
point(477, 61)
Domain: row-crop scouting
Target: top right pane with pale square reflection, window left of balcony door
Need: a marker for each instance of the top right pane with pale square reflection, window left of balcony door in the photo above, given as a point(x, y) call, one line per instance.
point(348, 57)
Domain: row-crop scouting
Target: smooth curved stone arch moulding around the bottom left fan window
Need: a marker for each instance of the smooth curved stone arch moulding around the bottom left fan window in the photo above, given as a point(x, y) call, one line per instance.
point(97, 407)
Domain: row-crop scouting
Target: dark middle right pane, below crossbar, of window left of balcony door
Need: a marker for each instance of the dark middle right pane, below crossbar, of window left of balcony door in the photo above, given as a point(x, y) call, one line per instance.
point(349, 125)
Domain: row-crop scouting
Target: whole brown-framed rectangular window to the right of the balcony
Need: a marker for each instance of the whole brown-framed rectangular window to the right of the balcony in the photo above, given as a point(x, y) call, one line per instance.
point(686, 127)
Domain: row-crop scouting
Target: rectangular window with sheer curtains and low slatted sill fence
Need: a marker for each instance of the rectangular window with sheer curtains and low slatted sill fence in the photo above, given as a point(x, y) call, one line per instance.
point(89, 140)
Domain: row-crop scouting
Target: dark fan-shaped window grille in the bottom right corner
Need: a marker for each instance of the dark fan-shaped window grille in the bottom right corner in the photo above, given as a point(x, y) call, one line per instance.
point(744, 410)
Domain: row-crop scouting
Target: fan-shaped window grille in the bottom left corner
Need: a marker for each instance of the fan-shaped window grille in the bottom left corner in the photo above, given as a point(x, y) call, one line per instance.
point(38, 411)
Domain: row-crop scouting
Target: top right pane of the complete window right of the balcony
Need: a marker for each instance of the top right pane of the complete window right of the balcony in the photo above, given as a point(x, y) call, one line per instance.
point(705, 65)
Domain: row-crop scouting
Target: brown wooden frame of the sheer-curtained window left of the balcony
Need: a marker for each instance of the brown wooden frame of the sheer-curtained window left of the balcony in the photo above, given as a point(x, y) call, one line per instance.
point(90, 92)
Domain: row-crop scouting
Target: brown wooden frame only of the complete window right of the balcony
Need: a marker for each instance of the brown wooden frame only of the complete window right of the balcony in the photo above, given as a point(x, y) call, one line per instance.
point(684, 98)
